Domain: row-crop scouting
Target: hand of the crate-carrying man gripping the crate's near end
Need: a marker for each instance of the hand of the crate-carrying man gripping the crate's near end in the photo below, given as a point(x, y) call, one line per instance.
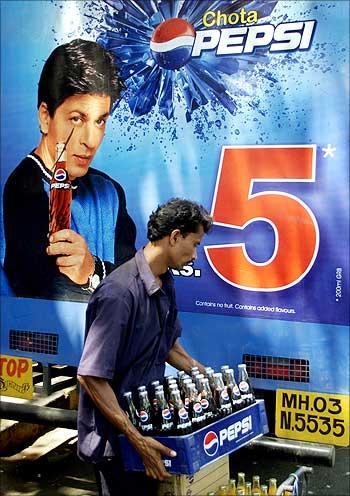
point(151, 451)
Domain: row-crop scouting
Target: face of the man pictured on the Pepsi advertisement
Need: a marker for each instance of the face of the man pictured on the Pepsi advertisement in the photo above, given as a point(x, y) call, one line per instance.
point(88, 115)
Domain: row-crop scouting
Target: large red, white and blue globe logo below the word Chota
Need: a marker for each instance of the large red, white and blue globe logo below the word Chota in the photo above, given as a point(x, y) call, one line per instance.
point(171, 43)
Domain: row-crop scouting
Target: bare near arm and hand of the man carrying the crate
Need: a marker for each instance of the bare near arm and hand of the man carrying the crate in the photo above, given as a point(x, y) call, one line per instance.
point(149, 449)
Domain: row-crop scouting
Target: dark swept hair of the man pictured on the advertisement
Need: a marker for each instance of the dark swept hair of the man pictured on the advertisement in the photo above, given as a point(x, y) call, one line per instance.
point(77, 68)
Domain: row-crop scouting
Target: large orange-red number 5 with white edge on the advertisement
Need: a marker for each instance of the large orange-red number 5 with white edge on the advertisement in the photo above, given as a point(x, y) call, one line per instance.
point(295, 226)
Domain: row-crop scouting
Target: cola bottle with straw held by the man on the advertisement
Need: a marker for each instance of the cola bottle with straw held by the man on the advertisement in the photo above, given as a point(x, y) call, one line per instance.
point(60, 193)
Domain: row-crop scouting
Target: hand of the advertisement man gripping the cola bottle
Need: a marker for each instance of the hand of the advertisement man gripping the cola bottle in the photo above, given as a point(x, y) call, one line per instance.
point(73, 256)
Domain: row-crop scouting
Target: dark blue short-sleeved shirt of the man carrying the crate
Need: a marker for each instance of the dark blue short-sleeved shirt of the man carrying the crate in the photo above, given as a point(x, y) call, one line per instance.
point(131, 325)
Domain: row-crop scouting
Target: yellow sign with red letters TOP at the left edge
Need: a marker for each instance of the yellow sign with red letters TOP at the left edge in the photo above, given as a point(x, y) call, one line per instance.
point(16, 377)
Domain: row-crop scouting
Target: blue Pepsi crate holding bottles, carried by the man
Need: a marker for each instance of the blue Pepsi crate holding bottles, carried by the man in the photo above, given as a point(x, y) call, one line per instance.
point(202, 447)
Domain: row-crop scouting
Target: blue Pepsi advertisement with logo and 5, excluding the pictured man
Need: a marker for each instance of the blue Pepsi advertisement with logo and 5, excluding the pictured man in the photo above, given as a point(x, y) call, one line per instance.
point(242, 107)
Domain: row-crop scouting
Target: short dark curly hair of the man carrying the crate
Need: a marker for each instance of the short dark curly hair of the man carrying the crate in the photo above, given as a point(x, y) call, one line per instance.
point(185, 215)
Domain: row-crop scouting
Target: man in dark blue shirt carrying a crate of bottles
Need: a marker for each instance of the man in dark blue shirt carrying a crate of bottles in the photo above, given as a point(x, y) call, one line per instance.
point(132, 329)
